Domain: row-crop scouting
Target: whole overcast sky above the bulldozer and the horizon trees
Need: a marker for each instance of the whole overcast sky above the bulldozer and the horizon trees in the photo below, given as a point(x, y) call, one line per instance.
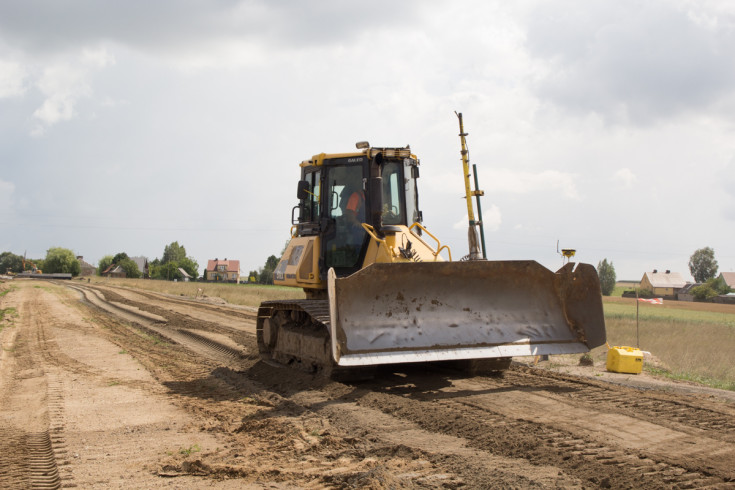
point(603, 126)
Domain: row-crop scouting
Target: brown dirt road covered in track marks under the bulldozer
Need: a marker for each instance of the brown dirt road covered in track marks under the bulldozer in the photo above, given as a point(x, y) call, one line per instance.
point(106, 387)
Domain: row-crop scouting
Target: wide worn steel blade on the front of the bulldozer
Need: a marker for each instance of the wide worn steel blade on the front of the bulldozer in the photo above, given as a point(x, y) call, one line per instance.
point(412, 312)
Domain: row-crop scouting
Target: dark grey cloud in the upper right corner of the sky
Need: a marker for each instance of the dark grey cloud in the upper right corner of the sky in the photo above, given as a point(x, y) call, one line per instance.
point(632, 61)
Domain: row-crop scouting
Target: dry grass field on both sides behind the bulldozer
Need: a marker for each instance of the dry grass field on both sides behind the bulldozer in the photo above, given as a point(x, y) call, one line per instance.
point(693, 341)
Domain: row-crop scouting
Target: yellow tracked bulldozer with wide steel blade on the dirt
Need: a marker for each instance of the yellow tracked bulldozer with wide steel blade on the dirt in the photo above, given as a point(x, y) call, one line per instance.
point(382, 289)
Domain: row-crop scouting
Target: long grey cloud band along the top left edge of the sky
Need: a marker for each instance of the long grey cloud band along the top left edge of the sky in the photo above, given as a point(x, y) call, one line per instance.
point(171, 27)
